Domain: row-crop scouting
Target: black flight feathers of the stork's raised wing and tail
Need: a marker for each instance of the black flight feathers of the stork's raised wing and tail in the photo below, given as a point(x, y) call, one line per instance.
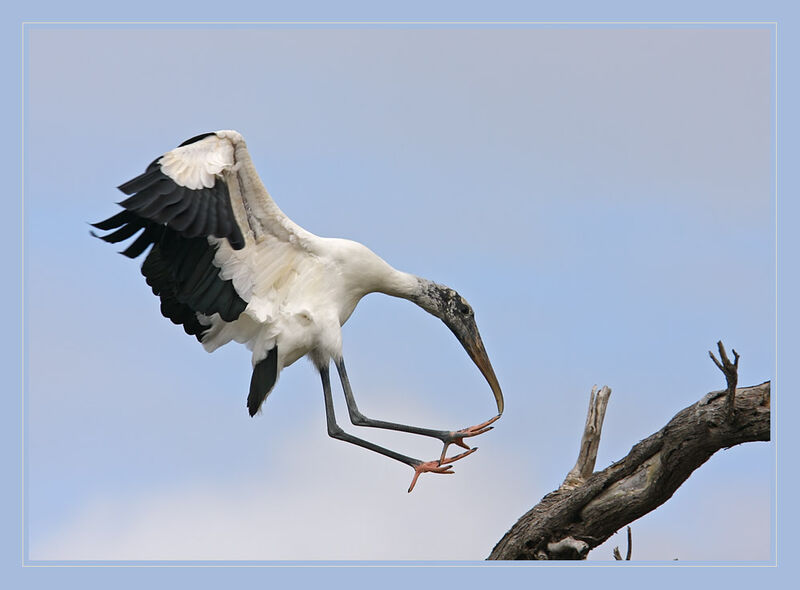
point(177, 221)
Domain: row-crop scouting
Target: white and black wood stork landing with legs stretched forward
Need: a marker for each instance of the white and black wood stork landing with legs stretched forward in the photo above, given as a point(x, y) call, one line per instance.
point(227, 264)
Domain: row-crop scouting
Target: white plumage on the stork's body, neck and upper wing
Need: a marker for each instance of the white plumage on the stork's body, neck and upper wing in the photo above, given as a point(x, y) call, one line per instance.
point(300, 288)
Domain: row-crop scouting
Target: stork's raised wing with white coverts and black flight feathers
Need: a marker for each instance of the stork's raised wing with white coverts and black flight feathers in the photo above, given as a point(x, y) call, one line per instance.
point(208, 218)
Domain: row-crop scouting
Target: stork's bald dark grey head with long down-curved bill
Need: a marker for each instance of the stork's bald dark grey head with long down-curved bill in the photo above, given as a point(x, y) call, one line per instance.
point(457, 314)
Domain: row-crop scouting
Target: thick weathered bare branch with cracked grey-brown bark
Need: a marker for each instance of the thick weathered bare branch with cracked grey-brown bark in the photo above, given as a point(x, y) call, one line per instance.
point(571, 521)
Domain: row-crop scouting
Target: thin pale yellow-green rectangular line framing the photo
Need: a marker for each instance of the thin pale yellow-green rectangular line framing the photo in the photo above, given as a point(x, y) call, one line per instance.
point(24, 24)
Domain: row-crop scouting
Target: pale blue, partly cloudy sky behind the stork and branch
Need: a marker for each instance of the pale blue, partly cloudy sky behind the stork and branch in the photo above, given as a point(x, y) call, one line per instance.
point(603, 197)
